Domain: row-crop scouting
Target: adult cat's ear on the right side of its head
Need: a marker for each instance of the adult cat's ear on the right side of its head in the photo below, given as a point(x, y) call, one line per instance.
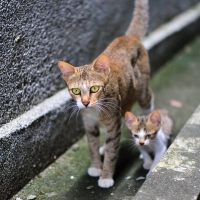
point(102, 64)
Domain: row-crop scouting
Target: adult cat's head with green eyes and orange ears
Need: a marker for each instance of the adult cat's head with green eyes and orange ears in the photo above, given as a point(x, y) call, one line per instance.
point(86, 83)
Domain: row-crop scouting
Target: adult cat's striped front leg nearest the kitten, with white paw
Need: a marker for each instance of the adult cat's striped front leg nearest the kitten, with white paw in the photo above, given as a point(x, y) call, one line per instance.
point(111, 152)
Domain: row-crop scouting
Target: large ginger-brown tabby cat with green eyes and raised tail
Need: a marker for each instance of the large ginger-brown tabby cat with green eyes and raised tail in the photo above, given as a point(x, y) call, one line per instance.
point(109, 86)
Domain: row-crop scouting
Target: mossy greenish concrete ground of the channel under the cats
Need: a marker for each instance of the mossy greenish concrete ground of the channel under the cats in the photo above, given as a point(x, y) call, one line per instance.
point(67, 178)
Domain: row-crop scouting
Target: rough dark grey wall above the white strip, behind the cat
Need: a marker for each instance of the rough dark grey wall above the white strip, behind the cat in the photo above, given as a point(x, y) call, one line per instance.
point(36, 34)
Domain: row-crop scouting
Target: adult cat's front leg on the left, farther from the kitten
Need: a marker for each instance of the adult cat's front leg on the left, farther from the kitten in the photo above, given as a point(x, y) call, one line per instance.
point(93, 141)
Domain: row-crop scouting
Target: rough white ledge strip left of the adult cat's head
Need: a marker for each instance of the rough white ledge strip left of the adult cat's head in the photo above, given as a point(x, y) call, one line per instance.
point(26, 119)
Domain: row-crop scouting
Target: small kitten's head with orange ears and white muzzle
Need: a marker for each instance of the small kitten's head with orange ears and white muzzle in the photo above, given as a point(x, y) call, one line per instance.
point(143, 129)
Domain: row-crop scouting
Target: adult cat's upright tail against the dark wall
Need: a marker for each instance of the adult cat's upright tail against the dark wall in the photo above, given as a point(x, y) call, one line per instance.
point(139, 24)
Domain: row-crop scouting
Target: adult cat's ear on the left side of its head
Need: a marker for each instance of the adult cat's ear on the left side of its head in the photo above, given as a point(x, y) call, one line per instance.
point(66, 69)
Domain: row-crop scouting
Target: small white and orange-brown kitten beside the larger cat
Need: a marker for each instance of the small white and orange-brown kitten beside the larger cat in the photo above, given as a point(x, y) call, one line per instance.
point(151, 135)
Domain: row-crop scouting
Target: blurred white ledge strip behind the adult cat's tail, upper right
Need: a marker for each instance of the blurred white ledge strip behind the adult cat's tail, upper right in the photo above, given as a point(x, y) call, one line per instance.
point(175, 25)
